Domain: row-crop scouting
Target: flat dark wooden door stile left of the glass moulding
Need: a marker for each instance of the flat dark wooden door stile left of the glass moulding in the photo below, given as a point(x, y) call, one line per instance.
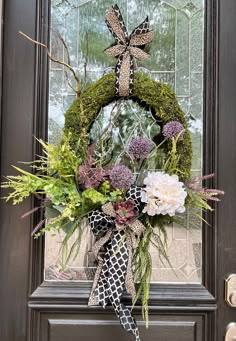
point(17, 123)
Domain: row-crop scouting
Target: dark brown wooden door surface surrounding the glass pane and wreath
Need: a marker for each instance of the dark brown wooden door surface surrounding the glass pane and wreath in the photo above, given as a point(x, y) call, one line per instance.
point(34, 310)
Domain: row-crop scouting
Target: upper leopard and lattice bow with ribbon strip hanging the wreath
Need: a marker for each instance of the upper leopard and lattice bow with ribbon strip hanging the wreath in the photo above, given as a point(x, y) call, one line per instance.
point(127, 48)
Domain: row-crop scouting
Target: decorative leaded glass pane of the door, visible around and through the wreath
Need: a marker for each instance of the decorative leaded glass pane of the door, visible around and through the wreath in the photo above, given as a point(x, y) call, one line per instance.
point(176, 58)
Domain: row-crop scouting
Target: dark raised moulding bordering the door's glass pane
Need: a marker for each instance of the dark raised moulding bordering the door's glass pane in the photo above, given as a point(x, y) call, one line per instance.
point(169, 292)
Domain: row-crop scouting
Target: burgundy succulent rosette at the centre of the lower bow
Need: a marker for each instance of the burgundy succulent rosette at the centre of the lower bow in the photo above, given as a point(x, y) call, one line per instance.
point(125, 212)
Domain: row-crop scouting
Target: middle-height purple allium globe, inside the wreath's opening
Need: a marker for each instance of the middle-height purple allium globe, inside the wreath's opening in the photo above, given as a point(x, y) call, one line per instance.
point(139, 148)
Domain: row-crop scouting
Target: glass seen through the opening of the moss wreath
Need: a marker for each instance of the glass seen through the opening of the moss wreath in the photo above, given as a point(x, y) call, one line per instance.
point(122, 122)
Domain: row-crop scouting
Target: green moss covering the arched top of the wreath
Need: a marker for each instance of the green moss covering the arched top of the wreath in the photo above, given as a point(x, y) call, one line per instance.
point(159, 97)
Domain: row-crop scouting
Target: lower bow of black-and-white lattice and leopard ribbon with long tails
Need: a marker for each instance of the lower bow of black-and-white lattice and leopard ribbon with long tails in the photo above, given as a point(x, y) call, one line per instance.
point(114, 271)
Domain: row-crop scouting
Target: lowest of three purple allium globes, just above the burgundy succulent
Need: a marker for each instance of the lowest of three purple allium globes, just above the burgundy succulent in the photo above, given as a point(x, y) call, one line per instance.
point(121, 177)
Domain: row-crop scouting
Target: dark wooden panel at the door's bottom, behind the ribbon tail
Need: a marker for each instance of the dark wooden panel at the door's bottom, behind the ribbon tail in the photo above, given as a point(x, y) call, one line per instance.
point(101, 327)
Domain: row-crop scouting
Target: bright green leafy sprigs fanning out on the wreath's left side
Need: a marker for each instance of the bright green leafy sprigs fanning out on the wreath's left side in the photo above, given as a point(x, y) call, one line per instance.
point(56, 177)
